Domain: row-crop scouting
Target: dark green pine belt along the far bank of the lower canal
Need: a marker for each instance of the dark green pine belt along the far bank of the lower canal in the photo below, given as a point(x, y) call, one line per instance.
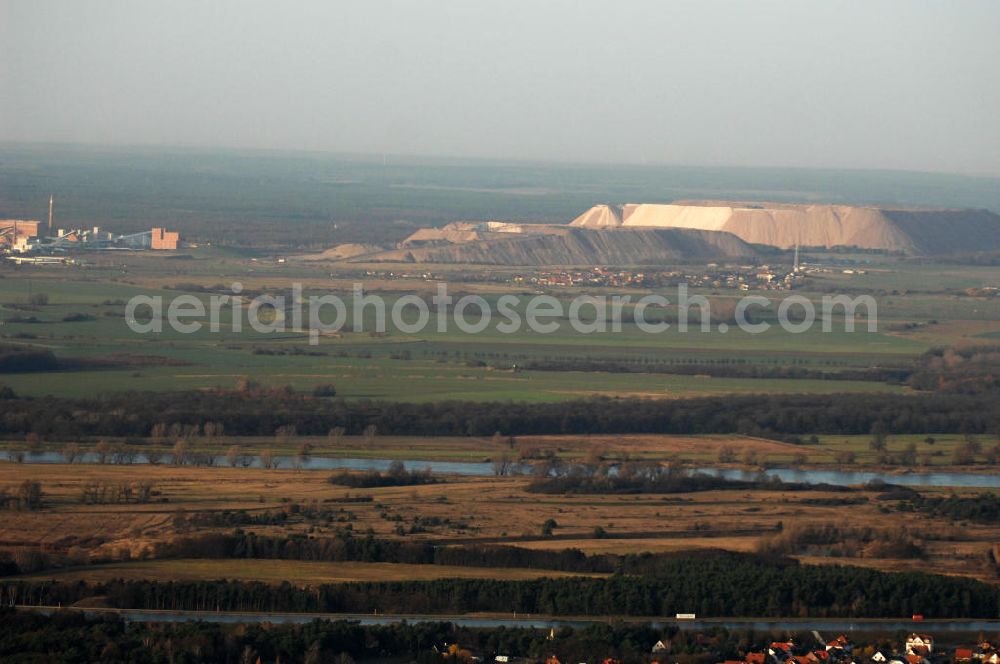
point(722, 585)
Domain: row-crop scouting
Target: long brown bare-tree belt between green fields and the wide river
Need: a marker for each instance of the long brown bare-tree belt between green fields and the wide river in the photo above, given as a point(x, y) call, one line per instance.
point(788, 416)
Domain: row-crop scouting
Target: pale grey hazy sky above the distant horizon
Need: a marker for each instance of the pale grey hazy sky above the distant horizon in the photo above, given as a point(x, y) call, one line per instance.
point(905, 84)
